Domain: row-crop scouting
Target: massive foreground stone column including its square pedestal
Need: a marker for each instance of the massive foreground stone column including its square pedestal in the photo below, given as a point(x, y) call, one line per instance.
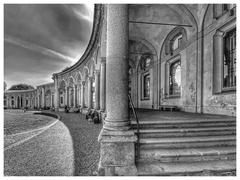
point(117, 153)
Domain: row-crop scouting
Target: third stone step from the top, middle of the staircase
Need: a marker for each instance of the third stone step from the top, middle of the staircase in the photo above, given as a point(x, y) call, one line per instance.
point(187, 142)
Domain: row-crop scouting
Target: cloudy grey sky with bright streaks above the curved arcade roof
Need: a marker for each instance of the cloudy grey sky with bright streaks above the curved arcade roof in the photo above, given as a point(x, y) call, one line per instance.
point(42, 39)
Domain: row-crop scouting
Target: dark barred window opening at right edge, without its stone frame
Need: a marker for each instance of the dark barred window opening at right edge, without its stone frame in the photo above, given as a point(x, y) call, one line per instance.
point(229, 58)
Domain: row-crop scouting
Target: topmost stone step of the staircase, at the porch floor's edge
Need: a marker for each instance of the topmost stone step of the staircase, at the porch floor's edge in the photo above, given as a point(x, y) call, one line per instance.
point(182, 124)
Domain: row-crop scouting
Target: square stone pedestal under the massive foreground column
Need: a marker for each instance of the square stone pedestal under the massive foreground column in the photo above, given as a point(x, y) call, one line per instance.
point(117, 153)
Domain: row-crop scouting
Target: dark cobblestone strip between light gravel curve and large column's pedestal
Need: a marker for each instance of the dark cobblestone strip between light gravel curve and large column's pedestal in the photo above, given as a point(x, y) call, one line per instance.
point(86, 147)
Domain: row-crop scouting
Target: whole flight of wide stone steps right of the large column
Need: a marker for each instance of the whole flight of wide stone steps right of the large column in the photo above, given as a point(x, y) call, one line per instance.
point(186, 146)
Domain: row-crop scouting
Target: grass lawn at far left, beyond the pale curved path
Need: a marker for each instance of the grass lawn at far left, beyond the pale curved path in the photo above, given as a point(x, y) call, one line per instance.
point(16, 122)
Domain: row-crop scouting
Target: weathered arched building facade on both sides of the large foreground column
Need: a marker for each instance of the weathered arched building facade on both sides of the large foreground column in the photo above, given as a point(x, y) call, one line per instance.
point(174, 63)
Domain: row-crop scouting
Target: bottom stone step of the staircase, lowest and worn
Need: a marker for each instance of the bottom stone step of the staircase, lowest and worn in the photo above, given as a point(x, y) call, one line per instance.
point(203, 168)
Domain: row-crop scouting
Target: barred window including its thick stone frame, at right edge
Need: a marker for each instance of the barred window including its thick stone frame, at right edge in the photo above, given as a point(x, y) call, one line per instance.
point(224, 59)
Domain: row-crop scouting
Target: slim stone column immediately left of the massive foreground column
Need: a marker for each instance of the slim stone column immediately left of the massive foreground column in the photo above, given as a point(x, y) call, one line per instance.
point(103, 85)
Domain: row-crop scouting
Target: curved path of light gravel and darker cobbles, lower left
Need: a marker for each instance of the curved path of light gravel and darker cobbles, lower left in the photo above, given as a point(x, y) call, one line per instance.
point(66, 147)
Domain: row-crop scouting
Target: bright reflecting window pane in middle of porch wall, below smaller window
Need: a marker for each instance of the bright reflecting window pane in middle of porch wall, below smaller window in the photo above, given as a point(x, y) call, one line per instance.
point(175, 78)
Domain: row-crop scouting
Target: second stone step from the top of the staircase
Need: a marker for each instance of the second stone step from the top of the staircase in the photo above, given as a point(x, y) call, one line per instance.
point(177, 132)
